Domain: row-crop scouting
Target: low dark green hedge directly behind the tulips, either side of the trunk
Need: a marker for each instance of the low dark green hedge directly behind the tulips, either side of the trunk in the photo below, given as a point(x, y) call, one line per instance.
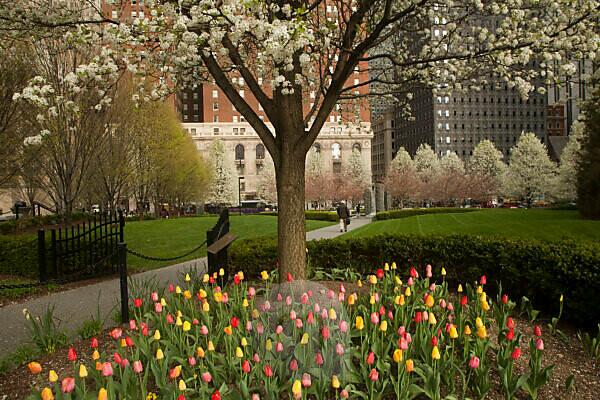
point(542, 271)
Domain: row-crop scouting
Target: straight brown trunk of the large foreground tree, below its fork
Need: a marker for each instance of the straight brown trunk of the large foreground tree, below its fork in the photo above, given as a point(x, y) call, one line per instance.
point(290, 222)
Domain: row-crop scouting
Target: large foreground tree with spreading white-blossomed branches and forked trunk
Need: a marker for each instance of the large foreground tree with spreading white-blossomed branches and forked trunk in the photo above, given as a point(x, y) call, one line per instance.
point(299, 47)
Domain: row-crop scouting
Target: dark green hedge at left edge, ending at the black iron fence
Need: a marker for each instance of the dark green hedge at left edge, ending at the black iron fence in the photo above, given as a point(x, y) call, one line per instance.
point(18, 256)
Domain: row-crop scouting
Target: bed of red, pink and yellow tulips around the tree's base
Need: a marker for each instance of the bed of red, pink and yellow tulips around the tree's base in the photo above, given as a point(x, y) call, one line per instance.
point(400, 335)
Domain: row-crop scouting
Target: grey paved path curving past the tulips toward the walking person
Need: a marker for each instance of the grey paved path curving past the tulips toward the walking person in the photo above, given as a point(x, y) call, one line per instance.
point(75, 306)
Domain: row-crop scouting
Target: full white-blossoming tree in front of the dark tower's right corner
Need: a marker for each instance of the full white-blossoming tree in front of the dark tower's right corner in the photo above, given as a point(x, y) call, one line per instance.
point(530, 173)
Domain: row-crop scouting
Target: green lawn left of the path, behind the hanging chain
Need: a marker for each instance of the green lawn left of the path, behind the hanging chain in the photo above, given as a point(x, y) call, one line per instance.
point(173, 237)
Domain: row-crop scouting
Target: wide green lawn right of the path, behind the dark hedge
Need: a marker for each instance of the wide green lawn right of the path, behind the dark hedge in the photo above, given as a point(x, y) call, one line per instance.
point(536, 223)
